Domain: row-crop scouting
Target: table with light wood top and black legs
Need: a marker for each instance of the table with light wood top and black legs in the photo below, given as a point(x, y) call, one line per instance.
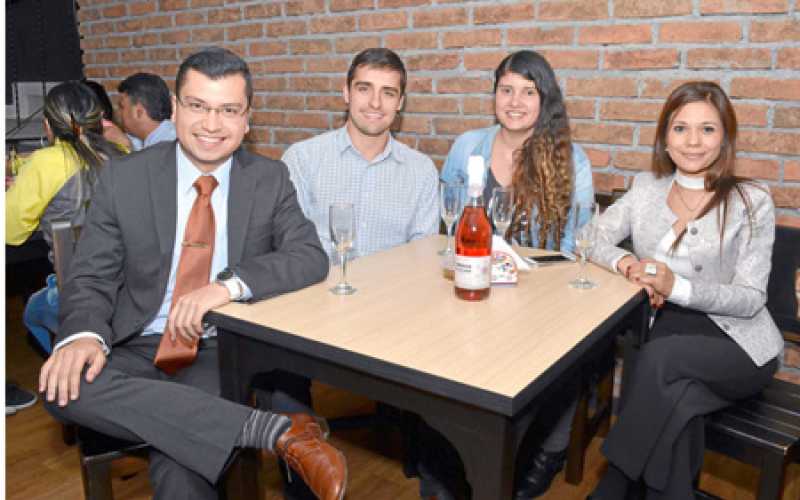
point(473, 371)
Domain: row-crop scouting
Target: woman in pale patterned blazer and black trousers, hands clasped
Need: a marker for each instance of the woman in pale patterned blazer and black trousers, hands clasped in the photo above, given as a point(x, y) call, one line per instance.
point(702, 240)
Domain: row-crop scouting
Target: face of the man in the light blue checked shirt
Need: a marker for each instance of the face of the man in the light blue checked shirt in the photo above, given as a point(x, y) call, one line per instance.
point(373, 100)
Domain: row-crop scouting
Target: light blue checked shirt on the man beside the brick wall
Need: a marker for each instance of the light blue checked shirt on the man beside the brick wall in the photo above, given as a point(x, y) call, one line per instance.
point(395, 195)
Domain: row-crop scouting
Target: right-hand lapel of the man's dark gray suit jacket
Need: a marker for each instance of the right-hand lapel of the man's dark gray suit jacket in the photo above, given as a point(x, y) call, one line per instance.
point(240, 202)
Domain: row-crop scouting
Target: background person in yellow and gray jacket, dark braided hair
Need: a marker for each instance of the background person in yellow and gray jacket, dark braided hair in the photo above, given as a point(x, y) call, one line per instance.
point(56, 182)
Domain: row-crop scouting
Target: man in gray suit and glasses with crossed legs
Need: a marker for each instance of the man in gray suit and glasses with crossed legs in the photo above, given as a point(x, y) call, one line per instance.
point(117, 298)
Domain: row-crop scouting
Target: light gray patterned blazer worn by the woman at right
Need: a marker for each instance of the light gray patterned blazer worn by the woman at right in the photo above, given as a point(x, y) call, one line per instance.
point(730, 287)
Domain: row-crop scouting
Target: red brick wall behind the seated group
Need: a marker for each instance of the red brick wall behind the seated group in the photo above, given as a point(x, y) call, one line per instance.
point(616, 61)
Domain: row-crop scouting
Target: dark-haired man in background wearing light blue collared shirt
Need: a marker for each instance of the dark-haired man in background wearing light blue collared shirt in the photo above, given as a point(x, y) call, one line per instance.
point(145, 110)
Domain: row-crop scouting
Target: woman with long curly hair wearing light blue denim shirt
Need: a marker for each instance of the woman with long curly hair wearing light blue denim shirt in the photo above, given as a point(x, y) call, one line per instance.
point(530, 150)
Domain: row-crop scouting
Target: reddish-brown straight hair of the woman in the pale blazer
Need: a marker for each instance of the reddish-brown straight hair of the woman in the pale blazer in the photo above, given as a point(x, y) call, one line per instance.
point(720, 178)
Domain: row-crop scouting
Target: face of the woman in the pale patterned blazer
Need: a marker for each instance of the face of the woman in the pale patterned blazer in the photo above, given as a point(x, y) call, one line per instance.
point(694, 138)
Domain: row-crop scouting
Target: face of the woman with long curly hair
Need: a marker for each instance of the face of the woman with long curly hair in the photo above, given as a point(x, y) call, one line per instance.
point(516, 102)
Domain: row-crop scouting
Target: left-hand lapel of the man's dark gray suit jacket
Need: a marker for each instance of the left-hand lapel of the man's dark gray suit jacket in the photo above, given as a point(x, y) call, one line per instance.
point(163, 183)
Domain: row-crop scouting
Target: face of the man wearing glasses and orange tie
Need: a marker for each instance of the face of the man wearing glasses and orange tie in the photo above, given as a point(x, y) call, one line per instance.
point(208, 138)
